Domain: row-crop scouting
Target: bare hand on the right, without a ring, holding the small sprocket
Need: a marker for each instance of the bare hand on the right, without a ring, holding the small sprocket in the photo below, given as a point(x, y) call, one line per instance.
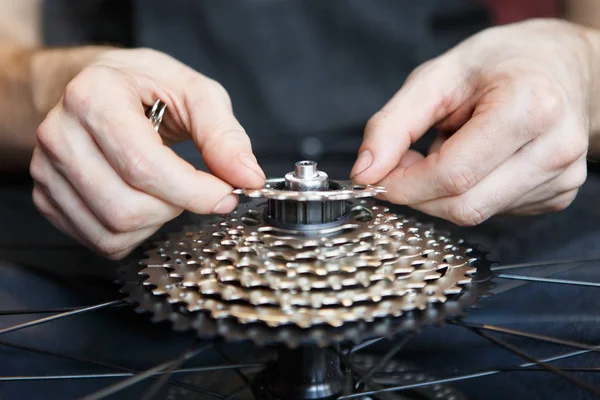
point(512, 107)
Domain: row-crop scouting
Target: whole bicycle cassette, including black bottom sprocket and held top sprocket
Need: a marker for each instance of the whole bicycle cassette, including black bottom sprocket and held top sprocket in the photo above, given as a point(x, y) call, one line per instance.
point(307, 259)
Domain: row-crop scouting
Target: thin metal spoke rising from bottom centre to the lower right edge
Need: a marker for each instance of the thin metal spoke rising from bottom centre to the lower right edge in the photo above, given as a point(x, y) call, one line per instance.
point(473, 375)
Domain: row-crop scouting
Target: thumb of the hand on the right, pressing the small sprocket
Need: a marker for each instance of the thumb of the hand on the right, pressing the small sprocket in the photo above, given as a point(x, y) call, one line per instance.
point(431, 92)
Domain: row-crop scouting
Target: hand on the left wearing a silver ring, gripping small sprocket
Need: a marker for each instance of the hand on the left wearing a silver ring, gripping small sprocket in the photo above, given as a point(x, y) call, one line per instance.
point(104, 175)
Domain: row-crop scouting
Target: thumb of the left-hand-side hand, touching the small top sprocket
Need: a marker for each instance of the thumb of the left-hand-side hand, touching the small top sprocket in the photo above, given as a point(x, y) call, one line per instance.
point(225, 146)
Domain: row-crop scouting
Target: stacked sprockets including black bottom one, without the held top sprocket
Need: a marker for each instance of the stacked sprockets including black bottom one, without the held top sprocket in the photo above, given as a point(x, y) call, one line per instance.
point(167, 284)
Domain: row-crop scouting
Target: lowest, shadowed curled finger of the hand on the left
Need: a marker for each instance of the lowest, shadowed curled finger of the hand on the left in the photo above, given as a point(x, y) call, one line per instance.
point(80, 218)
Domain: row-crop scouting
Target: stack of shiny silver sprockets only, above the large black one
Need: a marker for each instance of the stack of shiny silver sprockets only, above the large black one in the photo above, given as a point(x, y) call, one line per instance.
point(378, 264)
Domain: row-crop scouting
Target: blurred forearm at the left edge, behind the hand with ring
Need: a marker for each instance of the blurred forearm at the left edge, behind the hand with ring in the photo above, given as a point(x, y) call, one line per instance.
point(31, 82)
